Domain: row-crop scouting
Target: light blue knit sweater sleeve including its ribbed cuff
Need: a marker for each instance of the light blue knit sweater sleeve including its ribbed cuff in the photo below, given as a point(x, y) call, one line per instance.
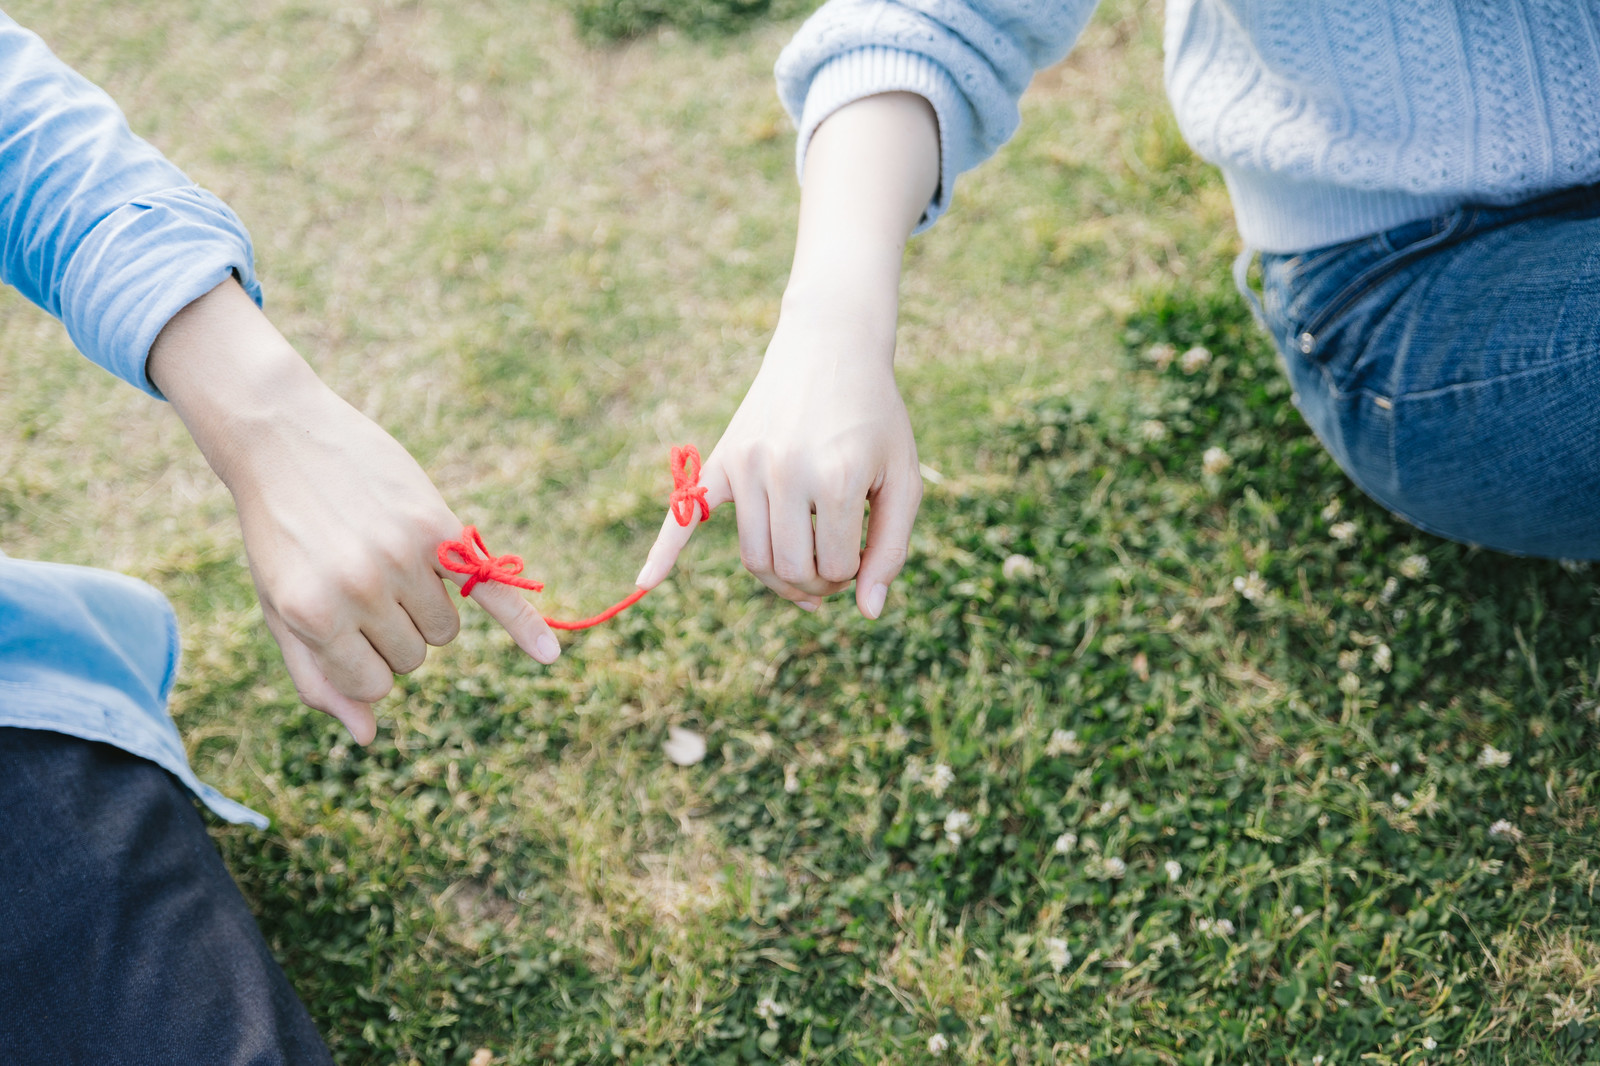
point(969, 58)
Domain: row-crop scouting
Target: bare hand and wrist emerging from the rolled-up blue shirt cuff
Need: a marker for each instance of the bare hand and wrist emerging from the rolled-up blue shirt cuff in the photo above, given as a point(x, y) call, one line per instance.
point(342, 524)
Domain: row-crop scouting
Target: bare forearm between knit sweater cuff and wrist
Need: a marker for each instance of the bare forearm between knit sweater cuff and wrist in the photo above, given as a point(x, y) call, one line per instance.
point(871, 170)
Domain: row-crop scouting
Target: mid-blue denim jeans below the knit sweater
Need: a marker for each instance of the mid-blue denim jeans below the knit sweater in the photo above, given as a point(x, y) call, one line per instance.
point(1452, 367)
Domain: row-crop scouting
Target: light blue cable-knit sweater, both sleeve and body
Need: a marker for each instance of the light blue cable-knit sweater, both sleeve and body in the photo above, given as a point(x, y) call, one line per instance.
point(1330, 119)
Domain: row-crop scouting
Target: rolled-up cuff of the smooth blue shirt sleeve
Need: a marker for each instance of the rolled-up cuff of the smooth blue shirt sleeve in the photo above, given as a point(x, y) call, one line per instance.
point(145, 263)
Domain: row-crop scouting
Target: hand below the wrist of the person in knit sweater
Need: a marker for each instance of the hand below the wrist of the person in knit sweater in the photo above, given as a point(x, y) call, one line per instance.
point(822, 433)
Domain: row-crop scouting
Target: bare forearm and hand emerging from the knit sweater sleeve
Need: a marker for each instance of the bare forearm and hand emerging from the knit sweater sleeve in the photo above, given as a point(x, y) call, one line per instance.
point(823, 431)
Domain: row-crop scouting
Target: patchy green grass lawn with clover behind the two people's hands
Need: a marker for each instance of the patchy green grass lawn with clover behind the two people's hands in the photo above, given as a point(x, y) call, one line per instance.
point(1158, 756)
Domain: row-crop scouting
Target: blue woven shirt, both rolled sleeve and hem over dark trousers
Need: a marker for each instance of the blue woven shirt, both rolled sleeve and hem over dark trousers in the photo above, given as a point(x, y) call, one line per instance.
point(102, 231)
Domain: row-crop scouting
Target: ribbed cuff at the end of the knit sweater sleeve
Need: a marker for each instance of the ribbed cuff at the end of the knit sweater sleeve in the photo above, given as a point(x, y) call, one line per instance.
point(874, 71)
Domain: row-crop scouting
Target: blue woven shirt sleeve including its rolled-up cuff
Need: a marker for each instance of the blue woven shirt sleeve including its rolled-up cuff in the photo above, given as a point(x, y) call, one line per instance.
point(97, 226)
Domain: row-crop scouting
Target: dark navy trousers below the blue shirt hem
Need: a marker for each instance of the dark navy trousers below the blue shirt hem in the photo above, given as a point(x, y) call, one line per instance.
point(122, 939)
